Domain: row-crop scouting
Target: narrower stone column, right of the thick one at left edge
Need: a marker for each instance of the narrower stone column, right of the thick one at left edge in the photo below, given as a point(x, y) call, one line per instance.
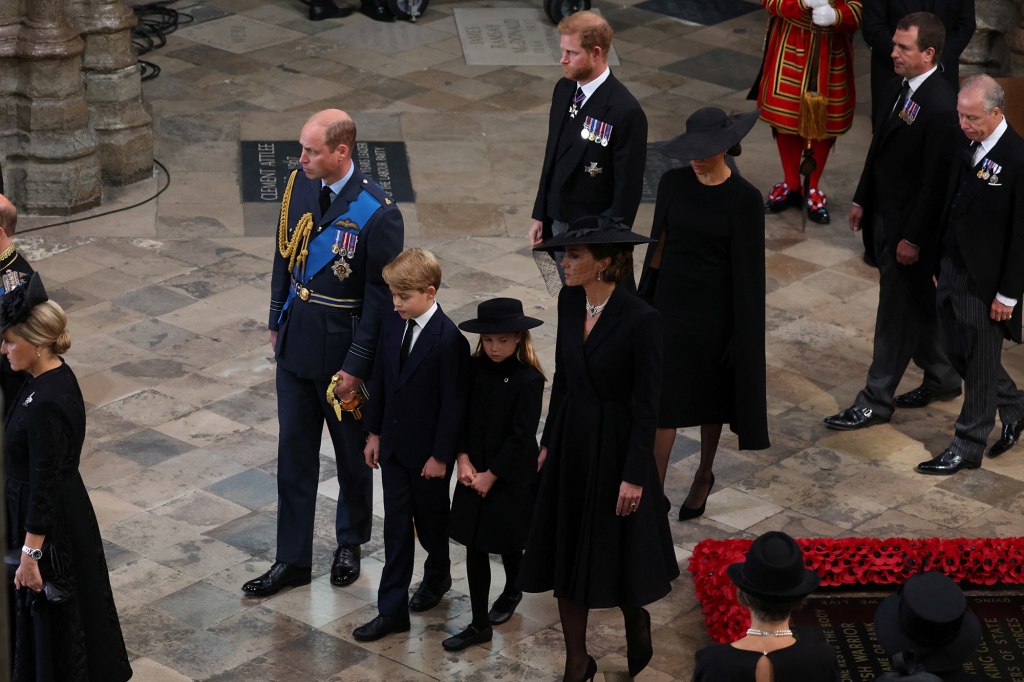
point(114, 90)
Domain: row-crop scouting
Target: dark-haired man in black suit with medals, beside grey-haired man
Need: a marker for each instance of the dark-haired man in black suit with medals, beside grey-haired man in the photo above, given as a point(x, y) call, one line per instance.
point(902, 190)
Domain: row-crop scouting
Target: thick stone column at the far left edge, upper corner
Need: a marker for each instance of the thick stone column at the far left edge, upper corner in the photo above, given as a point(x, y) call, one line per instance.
point(53, 166)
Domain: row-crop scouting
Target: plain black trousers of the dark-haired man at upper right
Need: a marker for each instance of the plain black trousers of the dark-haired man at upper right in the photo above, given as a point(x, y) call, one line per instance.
point(905, 330)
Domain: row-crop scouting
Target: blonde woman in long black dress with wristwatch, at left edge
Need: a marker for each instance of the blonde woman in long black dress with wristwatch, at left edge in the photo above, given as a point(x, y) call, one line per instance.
point(65, 626)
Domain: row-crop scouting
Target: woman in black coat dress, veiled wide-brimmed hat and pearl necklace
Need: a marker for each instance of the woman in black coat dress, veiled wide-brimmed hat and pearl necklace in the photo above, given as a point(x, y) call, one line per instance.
point(600, 537)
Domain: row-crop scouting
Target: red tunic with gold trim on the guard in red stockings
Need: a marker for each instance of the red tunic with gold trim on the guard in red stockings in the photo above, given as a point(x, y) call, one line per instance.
point(788, 46)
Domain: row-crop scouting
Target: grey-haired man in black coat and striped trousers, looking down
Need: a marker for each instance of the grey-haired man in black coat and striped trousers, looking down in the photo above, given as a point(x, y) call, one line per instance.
point(982, 277)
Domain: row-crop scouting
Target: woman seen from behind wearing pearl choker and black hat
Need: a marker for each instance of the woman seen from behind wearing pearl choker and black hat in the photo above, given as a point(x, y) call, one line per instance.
point(773, 584)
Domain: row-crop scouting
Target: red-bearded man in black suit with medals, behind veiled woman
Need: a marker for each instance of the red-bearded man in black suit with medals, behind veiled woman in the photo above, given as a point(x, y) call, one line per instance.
point(598, 137)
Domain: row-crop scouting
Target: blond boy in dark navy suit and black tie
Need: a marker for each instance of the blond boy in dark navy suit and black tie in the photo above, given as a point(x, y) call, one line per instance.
point(414, 416)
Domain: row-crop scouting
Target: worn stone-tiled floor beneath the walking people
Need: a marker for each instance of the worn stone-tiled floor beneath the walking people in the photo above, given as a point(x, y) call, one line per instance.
point(168, 306)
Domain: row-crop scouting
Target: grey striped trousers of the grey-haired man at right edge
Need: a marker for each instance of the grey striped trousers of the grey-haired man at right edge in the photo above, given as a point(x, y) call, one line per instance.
point(974, 344)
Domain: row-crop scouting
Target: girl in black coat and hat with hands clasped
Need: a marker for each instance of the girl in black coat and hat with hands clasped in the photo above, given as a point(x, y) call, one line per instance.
point(498, 461)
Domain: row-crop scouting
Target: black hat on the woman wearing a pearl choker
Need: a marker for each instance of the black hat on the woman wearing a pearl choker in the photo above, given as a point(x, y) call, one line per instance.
point(775, 570)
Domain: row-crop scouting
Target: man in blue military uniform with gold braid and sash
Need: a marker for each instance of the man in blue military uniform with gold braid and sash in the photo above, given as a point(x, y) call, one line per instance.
point(338, 230)
